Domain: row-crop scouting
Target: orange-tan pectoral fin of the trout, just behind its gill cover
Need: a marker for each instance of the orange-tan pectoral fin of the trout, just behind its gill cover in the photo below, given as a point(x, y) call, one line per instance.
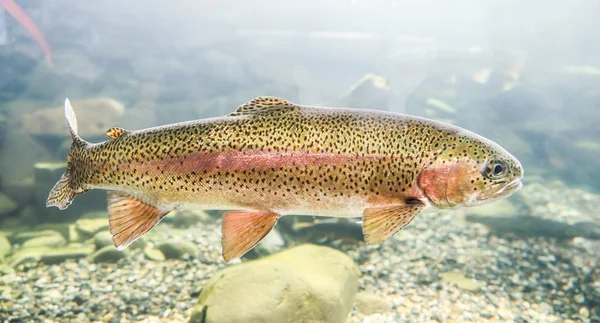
point(381, 223)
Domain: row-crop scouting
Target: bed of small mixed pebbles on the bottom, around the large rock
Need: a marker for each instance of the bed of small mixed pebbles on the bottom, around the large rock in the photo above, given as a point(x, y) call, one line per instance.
point(521, 279)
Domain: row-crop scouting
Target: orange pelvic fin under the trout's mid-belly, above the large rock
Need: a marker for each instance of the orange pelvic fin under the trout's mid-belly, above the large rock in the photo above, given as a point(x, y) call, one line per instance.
point(242, 230)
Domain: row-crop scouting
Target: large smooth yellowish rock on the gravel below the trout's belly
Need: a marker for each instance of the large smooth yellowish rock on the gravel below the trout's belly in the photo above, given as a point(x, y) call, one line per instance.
point(307, 283)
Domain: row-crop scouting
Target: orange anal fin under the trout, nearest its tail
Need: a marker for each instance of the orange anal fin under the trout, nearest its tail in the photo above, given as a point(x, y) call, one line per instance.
point(130, 218)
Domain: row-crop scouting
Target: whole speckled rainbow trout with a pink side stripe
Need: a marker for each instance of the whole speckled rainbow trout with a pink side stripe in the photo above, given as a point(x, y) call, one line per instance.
point(272, 157)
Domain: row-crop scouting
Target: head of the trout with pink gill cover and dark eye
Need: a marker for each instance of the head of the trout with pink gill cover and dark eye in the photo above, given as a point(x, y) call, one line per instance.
point(468, 171)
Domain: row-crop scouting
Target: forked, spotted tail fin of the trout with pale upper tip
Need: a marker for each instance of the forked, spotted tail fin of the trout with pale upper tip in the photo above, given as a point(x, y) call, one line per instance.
point(63, 192)
